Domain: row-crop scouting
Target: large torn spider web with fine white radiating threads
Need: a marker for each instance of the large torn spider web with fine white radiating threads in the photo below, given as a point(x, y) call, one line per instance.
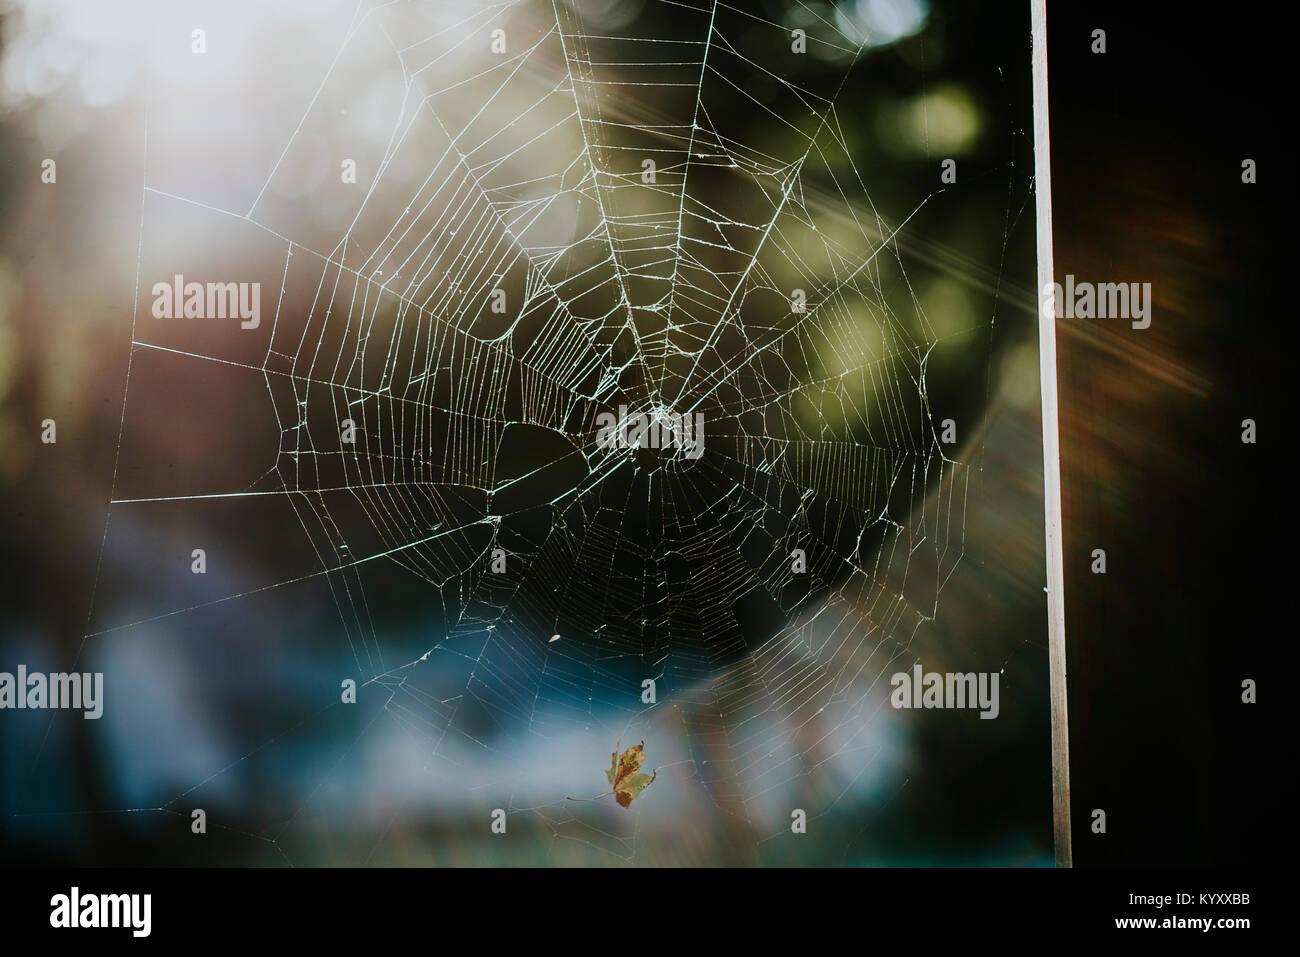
point(753, 280)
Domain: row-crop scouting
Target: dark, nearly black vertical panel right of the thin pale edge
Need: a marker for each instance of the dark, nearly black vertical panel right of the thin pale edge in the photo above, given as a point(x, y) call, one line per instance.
point(1199, 530)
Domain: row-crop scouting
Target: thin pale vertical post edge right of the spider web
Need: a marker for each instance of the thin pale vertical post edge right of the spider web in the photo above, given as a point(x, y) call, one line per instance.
point(1051, 447)
